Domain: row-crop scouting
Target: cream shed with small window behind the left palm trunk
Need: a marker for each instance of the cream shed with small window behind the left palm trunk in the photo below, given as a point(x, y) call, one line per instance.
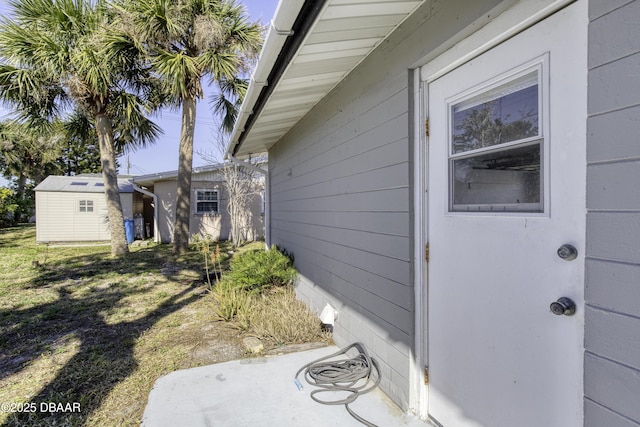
point(74, 208)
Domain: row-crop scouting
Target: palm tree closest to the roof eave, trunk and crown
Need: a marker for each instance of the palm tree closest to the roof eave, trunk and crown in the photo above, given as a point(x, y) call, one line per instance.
point(188, 41)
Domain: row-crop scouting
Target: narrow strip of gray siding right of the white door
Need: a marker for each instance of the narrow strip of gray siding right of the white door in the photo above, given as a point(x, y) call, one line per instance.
point(612, 329)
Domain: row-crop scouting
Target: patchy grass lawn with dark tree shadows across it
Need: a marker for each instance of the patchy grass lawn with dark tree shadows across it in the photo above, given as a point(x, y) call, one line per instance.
point(79, 327)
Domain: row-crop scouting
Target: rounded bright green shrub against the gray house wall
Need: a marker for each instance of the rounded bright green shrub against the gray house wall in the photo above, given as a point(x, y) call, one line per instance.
point(259, 271)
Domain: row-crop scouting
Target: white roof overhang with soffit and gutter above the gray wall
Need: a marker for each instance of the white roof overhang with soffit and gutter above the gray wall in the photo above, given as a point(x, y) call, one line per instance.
point(310, 47)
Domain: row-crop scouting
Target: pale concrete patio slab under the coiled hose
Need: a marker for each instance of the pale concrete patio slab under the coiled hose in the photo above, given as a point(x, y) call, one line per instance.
point(260, 392)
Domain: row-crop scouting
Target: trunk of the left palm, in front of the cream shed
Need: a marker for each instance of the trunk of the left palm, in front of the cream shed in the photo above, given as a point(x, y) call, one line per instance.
point(110, 176)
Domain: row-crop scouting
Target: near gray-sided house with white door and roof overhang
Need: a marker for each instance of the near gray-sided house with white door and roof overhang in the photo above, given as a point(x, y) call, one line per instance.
point(444, 173)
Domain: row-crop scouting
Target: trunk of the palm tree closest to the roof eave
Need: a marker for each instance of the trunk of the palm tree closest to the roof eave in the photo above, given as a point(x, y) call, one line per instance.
point(185, 167)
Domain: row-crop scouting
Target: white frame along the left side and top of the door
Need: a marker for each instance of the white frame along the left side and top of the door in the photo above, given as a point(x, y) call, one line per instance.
point(513, 21)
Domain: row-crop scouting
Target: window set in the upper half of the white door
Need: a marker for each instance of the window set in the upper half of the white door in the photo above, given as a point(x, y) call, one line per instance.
point(496, 147)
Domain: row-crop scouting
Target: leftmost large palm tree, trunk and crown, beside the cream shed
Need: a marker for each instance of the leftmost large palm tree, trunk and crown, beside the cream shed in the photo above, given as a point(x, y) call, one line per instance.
point(56, 54)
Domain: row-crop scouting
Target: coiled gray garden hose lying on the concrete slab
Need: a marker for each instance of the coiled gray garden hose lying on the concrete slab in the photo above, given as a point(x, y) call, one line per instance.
point(351, 375)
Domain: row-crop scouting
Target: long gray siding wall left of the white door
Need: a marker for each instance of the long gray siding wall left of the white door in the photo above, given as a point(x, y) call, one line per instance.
point(341, 194)
